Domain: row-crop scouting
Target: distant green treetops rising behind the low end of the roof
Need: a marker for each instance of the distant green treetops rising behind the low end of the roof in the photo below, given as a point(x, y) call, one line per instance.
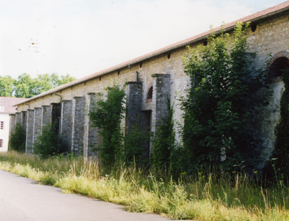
point(26, 87)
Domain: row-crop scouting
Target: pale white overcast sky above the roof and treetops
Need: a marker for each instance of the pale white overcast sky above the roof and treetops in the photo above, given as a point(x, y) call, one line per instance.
point(81, 37)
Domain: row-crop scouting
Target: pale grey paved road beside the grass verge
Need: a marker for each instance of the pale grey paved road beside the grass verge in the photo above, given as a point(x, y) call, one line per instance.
point(23, 199)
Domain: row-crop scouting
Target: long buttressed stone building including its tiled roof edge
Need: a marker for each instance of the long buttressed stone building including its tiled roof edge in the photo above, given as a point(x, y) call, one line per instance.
point(151, 78)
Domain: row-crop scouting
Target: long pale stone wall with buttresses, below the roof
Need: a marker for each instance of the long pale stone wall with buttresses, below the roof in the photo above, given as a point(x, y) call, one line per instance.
point(270, 37)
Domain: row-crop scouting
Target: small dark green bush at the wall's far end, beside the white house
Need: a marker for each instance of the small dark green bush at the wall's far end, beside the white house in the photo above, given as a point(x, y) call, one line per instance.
point(17, 139)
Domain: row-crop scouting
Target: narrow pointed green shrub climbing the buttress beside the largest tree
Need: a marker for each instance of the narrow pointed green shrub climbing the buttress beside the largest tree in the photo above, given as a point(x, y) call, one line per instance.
point(163, 144)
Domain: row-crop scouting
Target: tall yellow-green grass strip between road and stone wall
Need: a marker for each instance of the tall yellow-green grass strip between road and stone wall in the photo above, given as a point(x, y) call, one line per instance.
point(228, 196)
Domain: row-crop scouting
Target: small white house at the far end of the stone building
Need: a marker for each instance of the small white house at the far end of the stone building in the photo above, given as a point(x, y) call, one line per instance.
point(6, 108)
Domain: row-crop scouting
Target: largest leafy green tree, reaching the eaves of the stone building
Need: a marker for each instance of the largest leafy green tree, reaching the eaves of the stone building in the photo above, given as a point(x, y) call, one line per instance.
point(219, 105)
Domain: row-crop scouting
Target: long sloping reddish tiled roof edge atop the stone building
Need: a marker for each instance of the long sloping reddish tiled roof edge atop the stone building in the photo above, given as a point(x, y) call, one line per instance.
point(254, 17)
